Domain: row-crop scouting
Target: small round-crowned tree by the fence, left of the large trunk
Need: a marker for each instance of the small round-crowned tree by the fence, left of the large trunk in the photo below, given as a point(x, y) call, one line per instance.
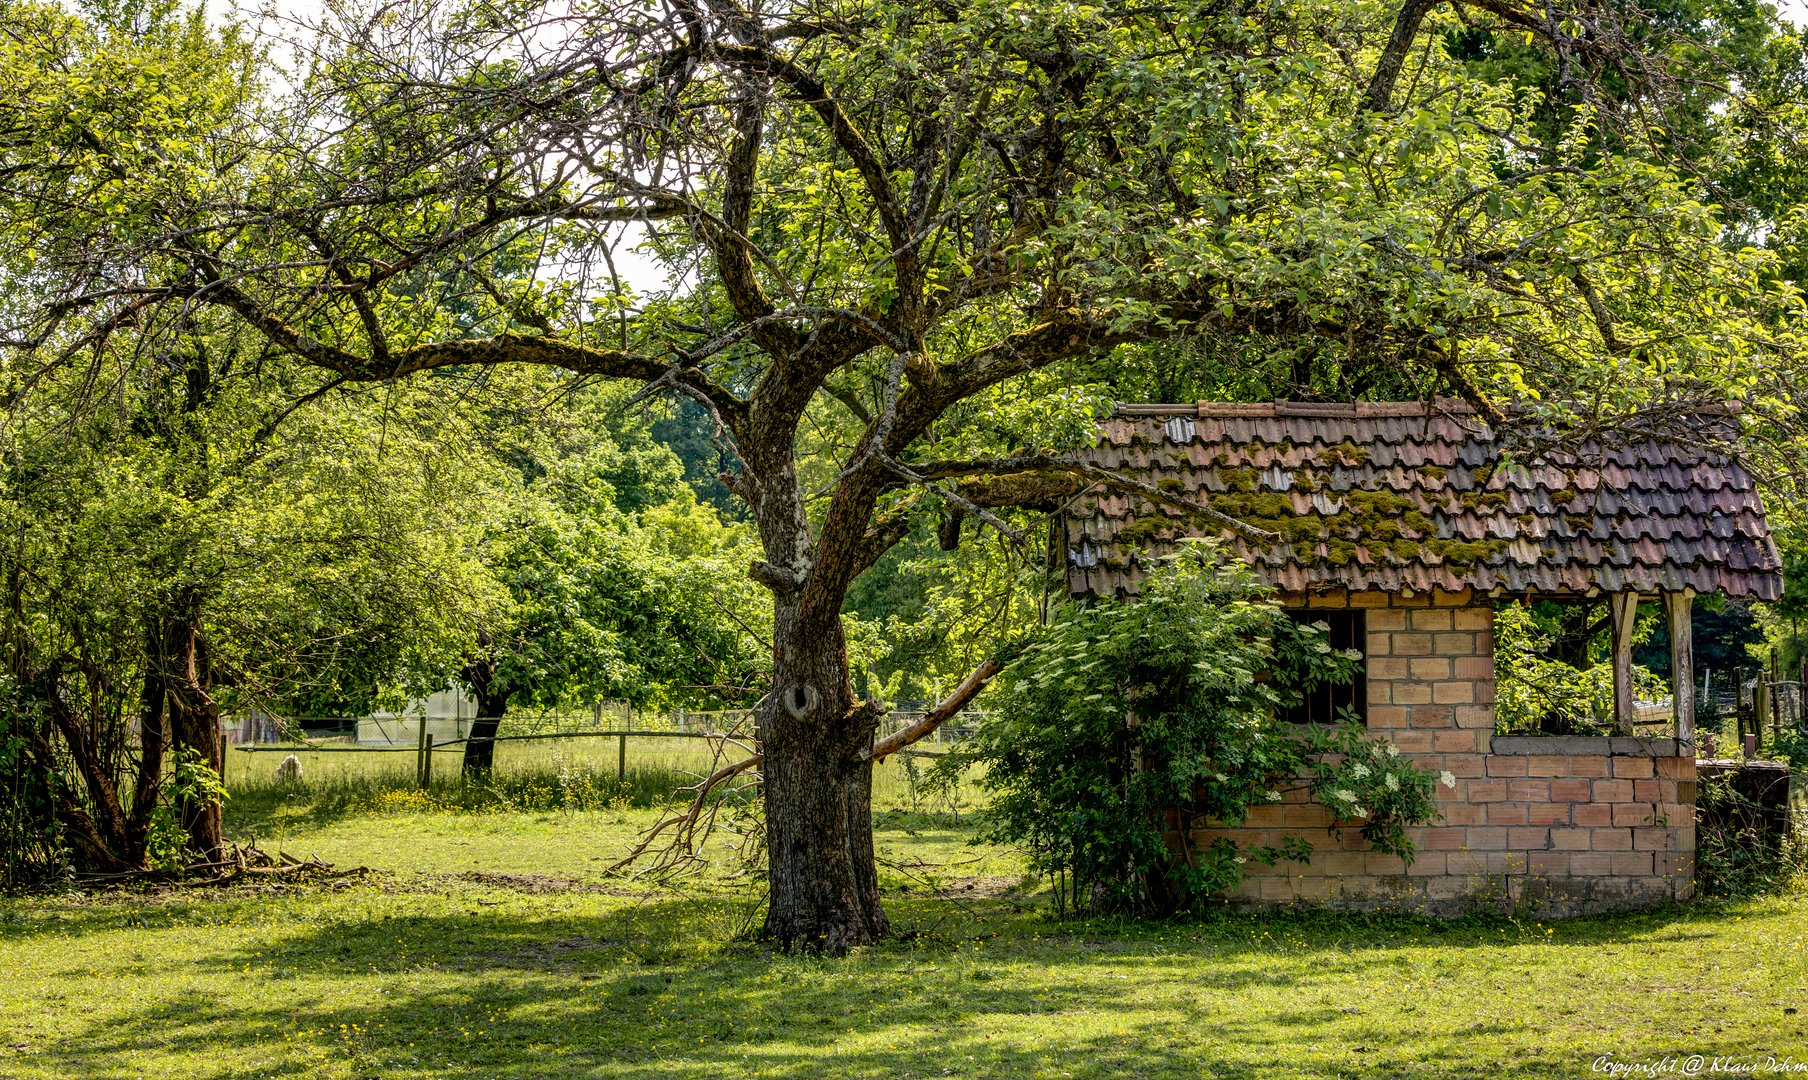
point(621, 585)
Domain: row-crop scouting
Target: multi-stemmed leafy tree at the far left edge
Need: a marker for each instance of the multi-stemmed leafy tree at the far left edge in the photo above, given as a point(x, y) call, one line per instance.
point(173, 556)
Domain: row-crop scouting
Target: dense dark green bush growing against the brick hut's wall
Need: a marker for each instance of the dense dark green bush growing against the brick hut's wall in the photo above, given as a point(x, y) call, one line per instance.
point(1129, 723)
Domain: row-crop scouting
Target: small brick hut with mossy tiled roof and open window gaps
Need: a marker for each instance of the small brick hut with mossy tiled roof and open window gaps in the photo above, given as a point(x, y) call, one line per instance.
point(1402, 526)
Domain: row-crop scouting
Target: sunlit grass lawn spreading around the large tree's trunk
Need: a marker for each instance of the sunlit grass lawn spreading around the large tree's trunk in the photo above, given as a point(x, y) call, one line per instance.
point(491, 945)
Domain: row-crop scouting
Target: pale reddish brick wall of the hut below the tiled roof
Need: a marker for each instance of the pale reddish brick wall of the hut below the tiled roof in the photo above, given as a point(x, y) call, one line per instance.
point(1543, 826)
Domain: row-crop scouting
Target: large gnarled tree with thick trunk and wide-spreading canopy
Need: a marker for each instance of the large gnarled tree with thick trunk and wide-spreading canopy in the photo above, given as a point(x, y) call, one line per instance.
point(898, 214)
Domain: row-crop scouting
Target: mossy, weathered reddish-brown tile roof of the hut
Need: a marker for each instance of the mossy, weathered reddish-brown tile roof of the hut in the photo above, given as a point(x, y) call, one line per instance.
point(1409, 495)
